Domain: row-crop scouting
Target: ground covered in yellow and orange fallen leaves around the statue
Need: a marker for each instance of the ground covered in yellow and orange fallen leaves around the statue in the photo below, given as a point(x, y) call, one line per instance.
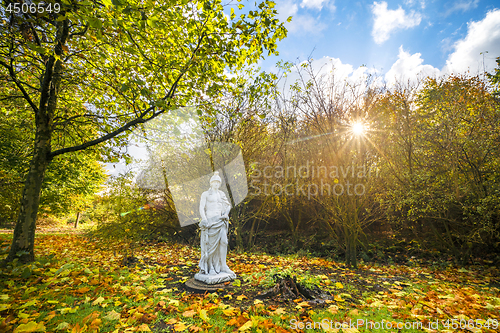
point(79, 285)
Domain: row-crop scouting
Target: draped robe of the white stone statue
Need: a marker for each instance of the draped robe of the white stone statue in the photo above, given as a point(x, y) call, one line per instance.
point(213, 235)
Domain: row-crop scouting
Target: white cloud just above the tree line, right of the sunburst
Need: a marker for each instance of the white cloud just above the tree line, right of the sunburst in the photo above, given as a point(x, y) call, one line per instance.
point(409, 67)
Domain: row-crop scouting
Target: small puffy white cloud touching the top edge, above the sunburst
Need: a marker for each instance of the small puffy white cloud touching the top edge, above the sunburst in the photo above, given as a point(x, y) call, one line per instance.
point(387, 20)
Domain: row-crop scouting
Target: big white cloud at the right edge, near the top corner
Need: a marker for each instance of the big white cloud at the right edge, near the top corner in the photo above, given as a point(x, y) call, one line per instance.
point(481, 36)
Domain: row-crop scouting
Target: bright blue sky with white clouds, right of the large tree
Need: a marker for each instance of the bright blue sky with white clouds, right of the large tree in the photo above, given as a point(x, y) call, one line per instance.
point(395, 38)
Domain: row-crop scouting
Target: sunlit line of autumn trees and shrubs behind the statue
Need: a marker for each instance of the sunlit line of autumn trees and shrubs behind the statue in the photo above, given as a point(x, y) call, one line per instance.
point(430, 153)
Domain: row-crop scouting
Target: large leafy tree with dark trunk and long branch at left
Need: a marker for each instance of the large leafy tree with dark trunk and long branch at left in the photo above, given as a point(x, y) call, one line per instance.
point(92, 71)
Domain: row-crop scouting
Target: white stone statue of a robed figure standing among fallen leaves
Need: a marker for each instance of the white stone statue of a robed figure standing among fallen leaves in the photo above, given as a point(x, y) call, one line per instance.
point(214, 211)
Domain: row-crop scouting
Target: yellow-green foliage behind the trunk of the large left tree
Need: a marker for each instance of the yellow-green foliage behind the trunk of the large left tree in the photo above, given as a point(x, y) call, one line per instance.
point(70, 180)
